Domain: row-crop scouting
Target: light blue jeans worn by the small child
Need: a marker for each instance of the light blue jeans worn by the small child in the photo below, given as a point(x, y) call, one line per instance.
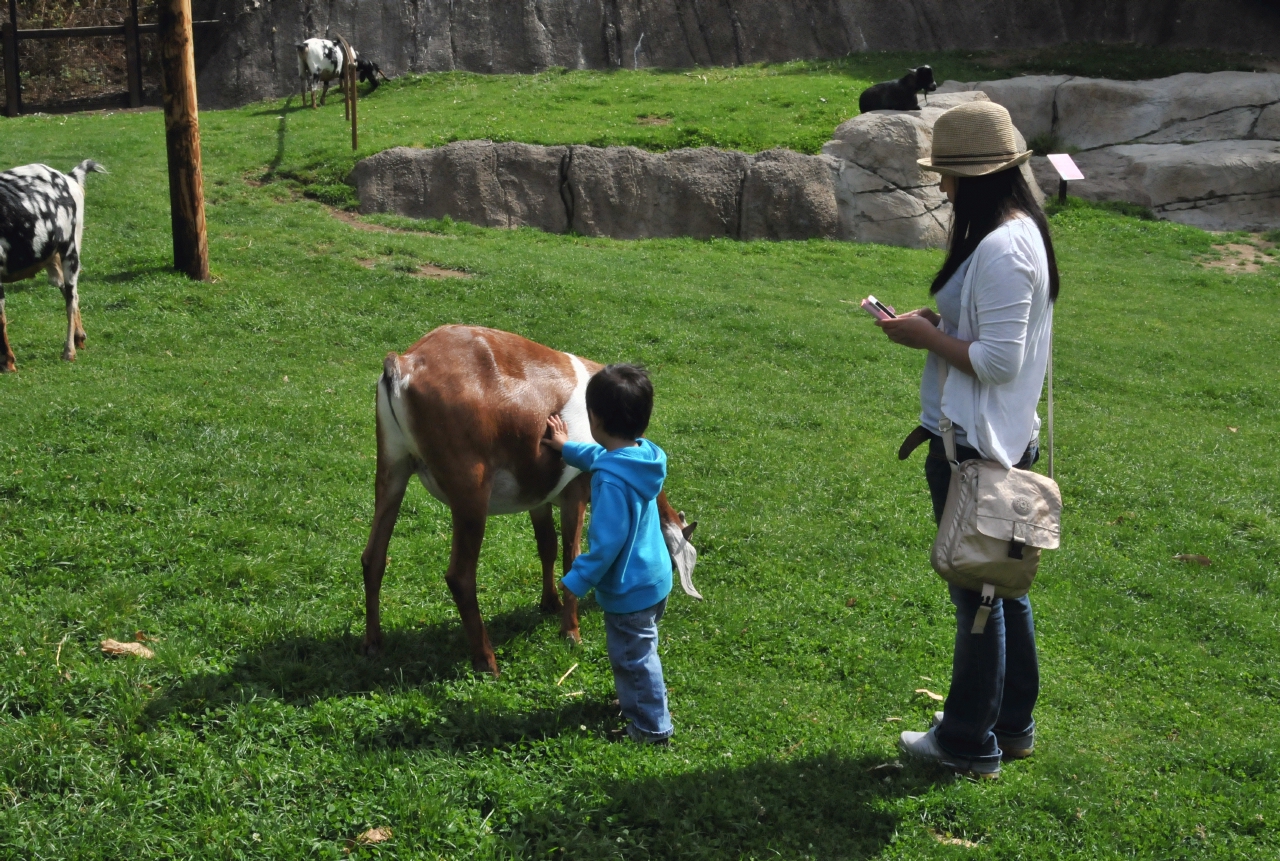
point(633, 644)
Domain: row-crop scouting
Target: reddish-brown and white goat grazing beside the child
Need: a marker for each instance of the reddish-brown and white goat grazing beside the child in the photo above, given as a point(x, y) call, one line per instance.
point(467, 410)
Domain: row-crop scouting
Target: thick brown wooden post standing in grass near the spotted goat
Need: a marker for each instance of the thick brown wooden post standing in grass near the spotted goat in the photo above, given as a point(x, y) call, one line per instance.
point(182, 140)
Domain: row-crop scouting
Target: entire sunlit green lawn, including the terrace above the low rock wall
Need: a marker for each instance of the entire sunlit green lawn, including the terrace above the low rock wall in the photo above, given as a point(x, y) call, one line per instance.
point(204, 475)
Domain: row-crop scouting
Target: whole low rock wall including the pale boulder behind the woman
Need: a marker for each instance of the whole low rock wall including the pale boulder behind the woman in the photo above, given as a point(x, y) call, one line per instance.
point(865, 187)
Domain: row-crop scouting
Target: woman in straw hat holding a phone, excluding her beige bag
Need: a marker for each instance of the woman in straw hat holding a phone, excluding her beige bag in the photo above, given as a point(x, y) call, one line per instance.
point(995, 296)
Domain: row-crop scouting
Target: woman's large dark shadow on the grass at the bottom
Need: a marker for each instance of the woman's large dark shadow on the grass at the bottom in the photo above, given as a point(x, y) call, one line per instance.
point(824, 807)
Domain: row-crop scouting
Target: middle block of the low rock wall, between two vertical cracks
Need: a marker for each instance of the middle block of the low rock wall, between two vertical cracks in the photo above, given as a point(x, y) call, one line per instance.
point(629, 194)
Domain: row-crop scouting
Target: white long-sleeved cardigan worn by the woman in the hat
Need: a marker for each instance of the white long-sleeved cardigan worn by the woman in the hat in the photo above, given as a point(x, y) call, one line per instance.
point(1008, 317)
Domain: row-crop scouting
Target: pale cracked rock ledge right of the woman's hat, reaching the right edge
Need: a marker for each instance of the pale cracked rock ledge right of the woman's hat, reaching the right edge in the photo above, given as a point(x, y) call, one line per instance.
point(1196, 149)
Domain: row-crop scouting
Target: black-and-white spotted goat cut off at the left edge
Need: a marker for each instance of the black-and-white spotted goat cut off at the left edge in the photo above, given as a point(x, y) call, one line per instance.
point(42, 225)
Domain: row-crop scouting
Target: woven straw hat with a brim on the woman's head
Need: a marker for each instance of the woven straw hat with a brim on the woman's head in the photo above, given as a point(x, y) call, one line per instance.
point(975, 140)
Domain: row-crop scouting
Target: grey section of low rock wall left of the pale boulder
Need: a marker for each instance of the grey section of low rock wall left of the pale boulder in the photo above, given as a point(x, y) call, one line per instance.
point(620, 193)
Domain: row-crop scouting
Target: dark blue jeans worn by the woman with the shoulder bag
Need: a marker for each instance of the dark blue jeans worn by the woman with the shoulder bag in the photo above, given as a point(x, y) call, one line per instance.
point(995, 676)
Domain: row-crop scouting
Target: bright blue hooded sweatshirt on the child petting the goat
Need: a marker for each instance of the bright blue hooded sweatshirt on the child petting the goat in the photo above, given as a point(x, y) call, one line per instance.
point(628, 564)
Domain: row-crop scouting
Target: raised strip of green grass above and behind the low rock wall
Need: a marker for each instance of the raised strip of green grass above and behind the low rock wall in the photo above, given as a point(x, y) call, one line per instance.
point(752, 108)
